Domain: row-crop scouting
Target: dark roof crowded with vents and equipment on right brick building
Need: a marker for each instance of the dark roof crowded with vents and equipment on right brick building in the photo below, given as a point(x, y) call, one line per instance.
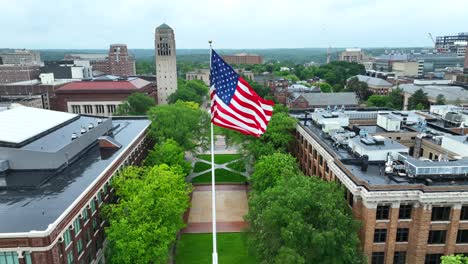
point(350, 144)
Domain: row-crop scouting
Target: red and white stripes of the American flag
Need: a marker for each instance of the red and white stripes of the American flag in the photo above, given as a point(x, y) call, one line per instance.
point(247, 112)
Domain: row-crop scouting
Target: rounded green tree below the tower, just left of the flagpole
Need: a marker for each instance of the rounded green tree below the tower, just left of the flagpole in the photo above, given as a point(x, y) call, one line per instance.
point(187, 125)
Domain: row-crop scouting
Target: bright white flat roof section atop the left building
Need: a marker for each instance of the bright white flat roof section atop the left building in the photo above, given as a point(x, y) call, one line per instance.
point(21, 123)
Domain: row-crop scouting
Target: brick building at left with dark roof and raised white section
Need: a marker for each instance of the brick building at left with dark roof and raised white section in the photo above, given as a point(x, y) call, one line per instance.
point(56, 169)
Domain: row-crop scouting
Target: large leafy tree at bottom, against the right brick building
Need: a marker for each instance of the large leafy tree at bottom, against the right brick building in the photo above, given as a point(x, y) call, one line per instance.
point(302, 219)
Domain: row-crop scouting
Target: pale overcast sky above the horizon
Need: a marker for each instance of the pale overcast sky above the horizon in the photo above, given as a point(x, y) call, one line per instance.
point(236, 24)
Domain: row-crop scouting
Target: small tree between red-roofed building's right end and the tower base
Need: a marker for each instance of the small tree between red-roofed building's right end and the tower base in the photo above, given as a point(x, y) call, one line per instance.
point(135, 104)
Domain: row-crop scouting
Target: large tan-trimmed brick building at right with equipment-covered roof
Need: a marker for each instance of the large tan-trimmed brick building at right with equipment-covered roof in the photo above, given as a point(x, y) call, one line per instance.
point(411, 210)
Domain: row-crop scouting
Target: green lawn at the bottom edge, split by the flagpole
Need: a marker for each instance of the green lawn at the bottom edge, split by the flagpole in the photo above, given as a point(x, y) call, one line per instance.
point(197, 249)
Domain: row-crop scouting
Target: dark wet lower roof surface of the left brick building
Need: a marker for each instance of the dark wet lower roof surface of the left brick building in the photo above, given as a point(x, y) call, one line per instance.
point(31, 200)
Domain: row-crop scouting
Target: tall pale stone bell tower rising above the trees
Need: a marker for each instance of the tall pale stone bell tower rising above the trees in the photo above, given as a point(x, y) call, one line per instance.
point(166, 68)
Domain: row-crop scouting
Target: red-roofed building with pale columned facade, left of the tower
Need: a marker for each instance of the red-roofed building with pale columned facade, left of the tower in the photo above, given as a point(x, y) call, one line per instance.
point(100, 96)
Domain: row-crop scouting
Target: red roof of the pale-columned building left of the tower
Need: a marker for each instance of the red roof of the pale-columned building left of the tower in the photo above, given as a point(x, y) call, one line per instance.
point(105, 83)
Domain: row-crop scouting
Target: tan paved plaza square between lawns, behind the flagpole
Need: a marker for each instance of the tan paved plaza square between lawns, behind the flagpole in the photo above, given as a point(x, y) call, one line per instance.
point(231, 206)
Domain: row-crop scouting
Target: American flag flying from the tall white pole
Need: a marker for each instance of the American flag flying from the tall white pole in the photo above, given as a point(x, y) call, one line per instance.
point(234, 104)
